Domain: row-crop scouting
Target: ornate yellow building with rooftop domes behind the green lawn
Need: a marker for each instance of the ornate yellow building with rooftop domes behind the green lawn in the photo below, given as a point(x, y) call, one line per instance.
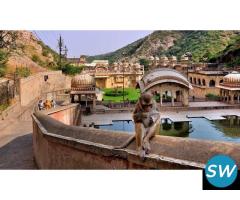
point(117, 75)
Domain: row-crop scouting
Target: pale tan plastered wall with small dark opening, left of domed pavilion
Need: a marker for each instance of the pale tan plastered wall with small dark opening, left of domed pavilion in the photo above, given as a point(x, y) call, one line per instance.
point(32, 87)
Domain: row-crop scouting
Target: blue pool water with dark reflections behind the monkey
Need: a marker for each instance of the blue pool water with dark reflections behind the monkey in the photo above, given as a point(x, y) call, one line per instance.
point(200, 128)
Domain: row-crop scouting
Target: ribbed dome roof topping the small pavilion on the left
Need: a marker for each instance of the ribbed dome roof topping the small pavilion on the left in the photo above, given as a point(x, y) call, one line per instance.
point(82, 80)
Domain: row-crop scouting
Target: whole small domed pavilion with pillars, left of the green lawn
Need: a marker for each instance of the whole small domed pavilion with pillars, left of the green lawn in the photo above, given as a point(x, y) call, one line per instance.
point(83, 90)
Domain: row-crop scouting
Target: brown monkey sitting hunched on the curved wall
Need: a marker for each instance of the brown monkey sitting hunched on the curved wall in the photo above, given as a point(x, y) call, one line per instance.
point(146, 117)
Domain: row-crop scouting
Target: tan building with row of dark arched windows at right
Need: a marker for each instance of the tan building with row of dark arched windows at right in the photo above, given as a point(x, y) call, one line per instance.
point(205, 82)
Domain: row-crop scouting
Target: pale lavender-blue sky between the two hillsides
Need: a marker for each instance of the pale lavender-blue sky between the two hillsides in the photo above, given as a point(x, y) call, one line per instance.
point(90, 42)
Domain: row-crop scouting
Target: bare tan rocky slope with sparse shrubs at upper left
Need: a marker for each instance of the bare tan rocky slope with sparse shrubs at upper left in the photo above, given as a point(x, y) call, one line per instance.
point(31, 53)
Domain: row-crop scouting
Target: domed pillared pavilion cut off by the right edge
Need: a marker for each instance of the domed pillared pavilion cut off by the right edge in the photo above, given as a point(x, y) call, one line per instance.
point(230, 88)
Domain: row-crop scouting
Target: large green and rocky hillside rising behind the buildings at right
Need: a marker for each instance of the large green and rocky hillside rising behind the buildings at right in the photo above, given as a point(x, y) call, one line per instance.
point(204, 45)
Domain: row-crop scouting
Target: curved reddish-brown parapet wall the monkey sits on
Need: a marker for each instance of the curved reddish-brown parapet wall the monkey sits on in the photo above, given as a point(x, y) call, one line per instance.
point(60, 146)
